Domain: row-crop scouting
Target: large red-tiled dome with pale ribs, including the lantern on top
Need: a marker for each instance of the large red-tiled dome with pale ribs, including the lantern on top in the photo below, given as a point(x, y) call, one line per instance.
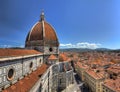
point(42, 31)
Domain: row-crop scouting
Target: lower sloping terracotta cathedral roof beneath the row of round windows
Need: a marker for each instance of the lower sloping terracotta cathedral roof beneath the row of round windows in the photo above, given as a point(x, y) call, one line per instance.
point(25, 84)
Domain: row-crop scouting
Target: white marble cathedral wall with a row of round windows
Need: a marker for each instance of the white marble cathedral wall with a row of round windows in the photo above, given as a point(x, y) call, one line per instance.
point(12, 70)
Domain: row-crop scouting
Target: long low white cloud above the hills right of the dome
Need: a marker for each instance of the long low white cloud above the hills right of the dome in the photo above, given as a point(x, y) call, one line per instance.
point(81, 45)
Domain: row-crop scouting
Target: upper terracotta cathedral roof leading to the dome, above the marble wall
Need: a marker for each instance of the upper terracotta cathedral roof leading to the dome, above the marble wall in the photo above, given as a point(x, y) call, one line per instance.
point(16, 52)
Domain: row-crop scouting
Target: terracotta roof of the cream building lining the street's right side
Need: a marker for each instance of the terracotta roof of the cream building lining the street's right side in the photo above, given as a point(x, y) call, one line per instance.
point(95, 73)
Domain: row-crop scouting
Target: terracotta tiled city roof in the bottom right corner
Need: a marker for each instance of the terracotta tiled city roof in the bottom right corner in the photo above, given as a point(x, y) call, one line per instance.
point(113, 84)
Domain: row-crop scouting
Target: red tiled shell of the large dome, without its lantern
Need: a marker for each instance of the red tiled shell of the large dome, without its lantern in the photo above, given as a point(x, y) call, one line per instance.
point(36, 32)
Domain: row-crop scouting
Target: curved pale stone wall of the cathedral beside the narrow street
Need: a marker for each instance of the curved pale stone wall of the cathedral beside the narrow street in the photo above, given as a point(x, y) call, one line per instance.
point(55, 80)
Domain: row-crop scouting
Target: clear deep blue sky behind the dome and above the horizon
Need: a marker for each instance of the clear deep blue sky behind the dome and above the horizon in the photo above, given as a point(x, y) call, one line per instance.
point(78, 23)
